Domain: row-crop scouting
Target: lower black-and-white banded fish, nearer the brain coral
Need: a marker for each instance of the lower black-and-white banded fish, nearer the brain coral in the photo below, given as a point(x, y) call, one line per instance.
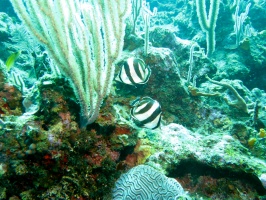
point(146, 112)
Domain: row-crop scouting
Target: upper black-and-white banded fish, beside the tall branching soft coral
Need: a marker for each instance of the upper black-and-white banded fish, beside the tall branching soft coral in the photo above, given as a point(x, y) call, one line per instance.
point(134, 72)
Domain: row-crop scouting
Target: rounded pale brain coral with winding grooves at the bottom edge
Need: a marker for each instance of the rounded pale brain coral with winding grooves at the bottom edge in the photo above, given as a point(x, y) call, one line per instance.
point(145, 183)
